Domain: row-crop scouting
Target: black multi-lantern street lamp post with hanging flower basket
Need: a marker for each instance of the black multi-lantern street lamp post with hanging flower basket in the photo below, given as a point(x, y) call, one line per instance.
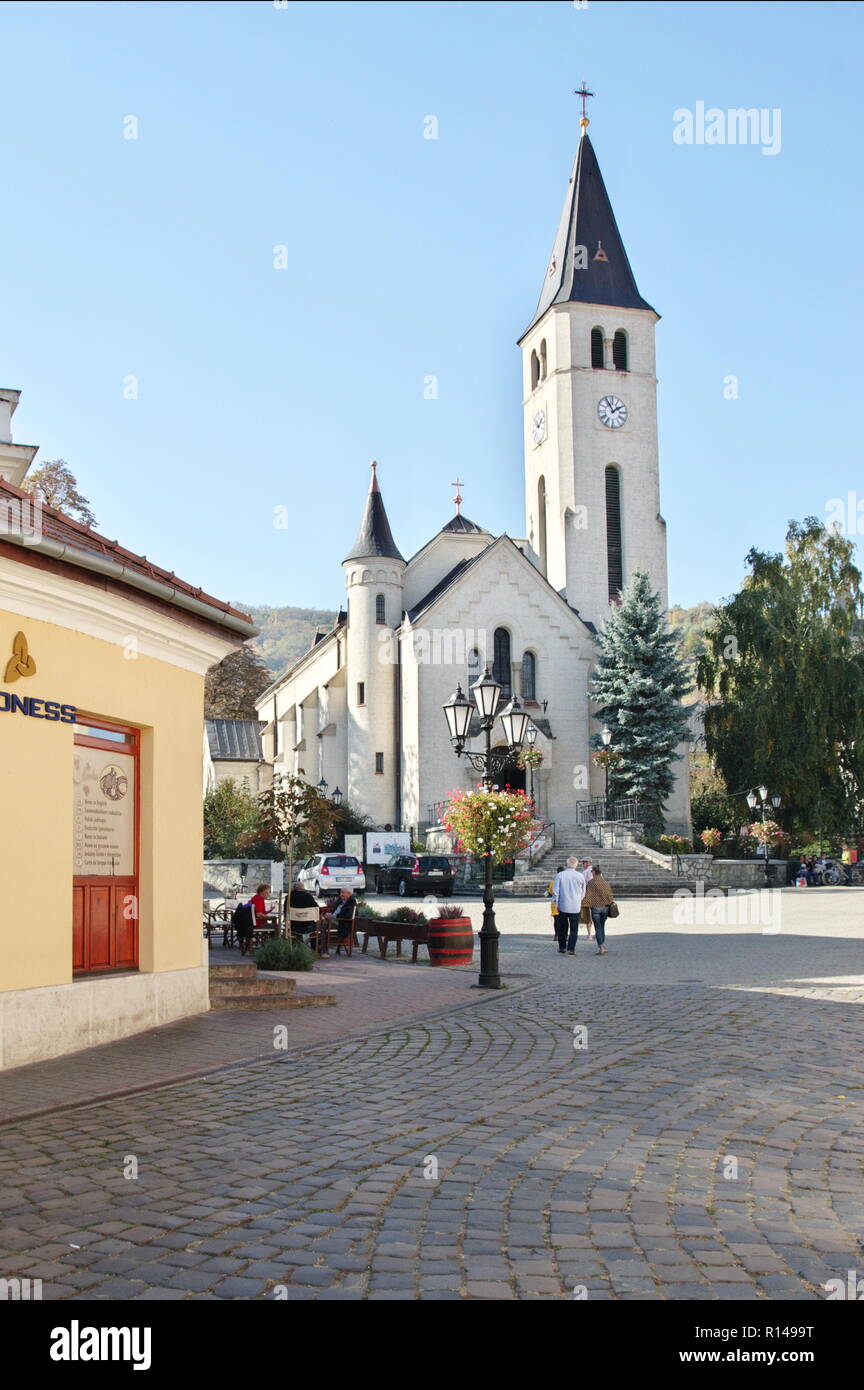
point(459, 712)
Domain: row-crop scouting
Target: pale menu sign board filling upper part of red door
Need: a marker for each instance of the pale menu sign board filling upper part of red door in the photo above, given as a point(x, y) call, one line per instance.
point(105, 814)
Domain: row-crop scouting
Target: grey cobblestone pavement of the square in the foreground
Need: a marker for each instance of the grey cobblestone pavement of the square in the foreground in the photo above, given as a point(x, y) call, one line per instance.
point(706, 1143)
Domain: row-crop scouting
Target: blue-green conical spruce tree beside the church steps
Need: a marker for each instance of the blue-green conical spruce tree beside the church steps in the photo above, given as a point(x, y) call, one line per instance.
point(638, 686)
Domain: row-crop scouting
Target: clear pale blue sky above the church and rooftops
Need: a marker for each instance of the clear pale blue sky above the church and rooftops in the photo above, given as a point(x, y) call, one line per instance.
point(304, 127)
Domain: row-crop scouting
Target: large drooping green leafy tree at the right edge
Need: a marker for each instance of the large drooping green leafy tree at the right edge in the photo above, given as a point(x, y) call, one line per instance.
point(786, 679)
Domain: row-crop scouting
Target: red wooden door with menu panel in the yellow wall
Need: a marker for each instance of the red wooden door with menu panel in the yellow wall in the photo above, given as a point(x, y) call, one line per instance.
point(105, 889)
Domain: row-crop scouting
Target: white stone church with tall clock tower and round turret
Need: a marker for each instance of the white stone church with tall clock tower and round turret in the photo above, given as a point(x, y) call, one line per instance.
point(363, 708)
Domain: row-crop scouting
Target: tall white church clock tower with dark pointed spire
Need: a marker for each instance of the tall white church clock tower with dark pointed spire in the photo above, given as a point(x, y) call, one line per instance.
point(592, 482)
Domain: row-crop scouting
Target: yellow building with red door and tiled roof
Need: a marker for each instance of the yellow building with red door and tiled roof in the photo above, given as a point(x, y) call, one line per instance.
point(102, 682)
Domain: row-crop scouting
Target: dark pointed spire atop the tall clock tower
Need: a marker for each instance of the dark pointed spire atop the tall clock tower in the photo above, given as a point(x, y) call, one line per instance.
point(601, 273)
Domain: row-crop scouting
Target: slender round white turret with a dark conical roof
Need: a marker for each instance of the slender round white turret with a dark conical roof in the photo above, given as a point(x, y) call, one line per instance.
point(374, 580)
